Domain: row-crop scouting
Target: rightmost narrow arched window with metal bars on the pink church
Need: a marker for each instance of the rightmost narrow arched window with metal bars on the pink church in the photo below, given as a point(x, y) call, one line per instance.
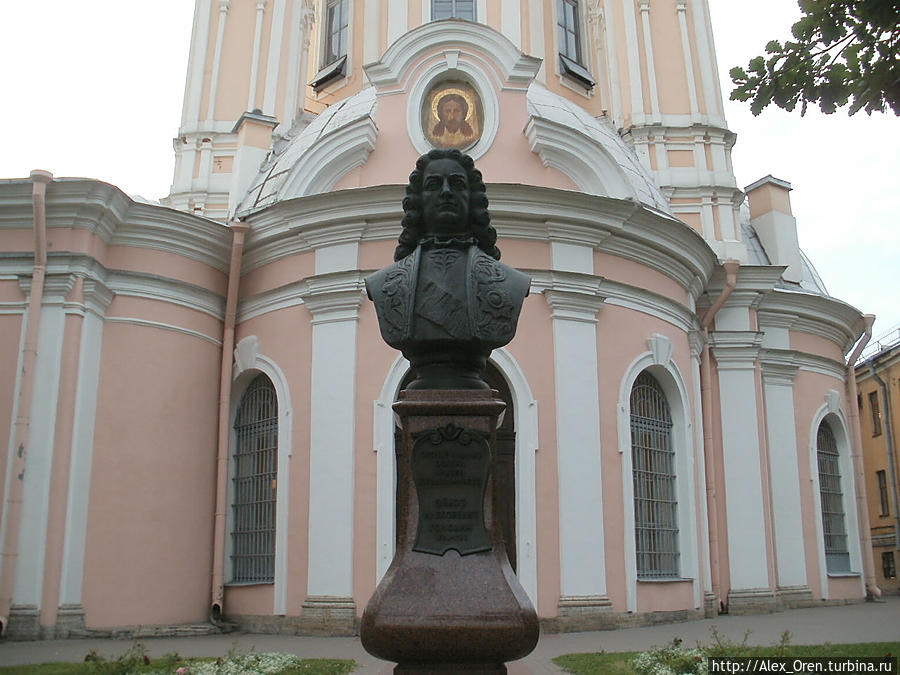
point(837, 556)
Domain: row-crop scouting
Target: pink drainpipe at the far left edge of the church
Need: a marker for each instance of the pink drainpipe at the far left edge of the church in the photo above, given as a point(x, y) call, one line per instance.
point(22, 423)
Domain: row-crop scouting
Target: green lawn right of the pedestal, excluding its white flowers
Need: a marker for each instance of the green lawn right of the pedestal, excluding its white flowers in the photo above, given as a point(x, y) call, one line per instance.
point(620, 663)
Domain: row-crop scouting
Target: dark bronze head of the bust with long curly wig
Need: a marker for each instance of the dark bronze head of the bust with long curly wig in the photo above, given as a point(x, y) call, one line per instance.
point(446, 197)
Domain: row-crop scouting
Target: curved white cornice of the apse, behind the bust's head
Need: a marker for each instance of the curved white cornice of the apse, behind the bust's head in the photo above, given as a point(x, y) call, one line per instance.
point(619, 227)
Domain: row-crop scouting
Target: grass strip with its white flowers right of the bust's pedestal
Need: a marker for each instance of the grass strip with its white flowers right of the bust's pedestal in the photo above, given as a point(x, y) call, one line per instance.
point(670, 658)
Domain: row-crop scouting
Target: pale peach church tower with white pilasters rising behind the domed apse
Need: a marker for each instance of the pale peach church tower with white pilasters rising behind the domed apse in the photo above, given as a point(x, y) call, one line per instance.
point(261, 70)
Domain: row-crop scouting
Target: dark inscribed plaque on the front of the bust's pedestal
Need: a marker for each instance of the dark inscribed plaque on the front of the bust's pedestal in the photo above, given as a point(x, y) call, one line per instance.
point(450, 467)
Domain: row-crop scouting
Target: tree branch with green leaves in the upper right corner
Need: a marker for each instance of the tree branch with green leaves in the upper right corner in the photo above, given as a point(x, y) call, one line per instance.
point(843, 52)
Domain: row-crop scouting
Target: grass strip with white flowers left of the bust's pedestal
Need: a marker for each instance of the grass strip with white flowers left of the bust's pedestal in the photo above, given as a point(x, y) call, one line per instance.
point(136, 661)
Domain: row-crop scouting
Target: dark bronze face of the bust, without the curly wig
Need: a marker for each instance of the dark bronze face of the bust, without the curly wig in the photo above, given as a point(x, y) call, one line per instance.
point(445, 197)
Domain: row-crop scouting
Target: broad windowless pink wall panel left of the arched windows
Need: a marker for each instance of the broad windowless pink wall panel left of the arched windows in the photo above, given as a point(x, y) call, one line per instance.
point(149, 535)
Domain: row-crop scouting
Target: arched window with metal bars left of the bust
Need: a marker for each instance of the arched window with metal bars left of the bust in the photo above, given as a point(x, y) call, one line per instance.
point(253, 484)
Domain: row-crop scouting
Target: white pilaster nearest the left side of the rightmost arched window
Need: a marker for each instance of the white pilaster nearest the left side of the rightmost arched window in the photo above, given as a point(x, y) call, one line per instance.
point(778, 380)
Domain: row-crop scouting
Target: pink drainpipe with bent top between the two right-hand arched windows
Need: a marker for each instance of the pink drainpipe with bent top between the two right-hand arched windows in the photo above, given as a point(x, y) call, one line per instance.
point(709, 451)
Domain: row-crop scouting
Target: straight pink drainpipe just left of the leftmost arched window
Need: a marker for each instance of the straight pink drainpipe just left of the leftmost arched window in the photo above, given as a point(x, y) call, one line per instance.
point(239, 230)
